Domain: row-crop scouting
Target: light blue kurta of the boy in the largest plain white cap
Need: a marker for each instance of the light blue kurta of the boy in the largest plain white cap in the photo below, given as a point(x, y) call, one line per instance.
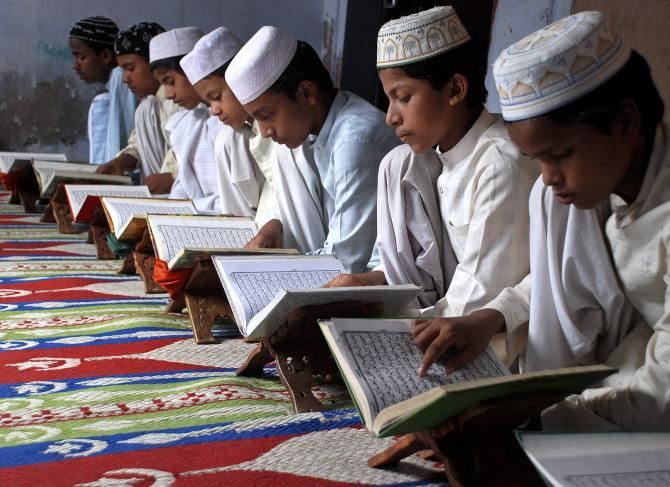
point(347, 152)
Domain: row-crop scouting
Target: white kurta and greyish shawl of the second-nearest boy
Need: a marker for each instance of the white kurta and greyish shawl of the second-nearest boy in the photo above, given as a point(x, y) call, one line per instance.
point(483, 193)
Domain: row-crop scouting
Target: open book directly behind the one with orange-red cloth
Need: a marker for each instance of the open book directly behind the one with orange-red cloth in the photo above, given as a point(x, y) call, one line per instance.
point(127, 217)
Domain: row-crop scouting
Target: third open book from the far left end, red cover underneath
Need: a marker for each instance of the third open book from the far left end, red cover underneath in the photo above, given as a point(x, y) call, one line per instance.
point(85, 198)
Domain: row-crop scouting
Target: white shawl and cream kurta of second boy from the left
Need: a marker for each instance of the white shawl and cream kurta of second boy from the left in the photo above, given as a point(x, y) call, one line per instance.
point(149, 143)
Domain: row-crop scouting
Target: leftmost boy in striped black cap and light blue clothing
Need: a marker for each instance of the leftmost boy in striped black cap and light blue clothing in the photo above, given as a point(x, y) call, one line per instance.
point(111, 115)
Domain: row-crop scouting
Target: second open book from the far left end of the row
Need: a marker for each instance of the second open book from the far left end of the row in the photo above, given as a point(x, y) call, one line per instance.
point(50, 173)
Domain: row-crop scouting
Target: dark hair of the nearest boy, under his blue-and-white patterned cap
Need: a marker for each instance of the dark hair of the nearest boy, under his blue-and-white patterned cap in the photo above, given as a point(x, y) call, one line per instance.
point(601, 107)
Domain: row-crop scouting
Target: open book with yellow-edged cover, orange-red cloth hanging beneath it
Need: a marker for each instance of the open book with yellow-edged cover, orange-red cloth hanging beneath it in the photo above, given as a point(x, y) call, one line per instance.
point(183, 240)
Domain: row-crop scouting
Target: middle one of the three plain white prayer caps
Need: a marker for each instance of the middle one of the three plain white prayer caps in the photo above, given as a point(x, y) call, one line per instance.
point(210, 53)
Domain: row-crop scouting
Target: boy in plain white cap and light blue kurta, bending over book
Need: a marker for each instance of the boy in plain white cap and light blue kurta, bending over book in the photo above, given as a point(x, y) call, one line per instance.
point(283, 84)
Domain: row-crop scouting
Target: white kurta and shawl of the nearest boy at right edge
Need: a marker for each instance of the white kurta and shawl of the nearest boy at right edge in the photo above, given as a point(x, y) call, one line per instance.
point(638, 397)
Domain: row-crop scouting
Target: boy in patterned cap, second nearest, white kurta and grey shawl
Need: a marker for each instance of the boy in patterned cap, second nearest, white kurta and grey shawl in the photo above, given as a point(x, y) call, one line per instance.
point(452, 220)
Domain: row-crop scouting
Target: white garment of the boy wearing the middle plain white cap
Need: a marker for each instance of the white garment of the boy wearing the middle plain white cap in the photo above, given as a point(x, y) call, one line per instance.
point(240, 179)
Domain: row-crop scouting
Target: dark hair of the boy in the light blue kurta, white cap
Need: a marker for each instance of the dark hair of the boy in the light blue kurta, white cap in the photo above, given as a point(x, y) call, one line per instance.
point(305, 65)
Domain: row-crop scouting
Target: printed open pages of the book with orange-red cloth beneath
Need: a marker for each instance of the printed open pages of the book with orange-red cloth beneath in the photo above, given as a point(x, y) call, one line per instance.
point(173, 233)
